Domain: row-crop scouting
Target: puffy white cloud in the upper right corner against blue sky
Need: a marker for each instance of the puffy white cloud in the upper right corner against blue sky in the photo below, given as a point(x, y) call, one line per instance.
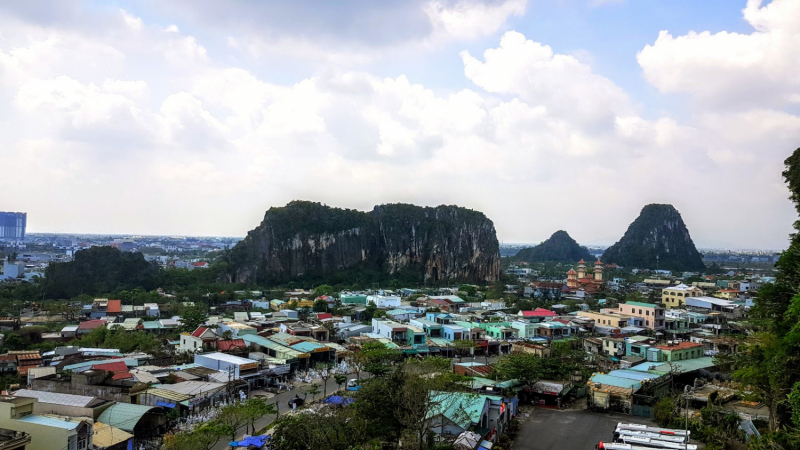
point(726, 69)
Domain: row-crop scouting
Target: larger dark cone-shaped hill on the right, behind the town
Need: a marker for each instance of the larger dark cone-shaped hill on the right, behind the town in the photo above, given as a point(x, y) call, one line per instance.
point(657, 239)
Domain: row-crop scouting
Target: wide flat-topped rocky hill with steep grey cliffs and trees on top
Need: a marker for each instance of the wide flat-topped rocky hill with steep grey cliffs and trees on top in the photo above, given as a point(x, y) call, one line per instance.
point(310, 240)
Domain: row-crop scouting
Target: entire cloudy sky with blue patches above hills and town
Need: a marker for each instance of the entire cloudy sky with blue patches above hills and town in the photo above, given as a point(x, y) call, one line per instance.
point(193, 117)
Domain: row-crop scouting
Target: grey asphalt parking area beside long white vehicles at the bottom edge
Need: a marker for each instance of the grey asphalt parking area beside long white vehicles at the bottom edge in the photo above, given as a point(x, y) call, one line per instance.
point(548, 429)
